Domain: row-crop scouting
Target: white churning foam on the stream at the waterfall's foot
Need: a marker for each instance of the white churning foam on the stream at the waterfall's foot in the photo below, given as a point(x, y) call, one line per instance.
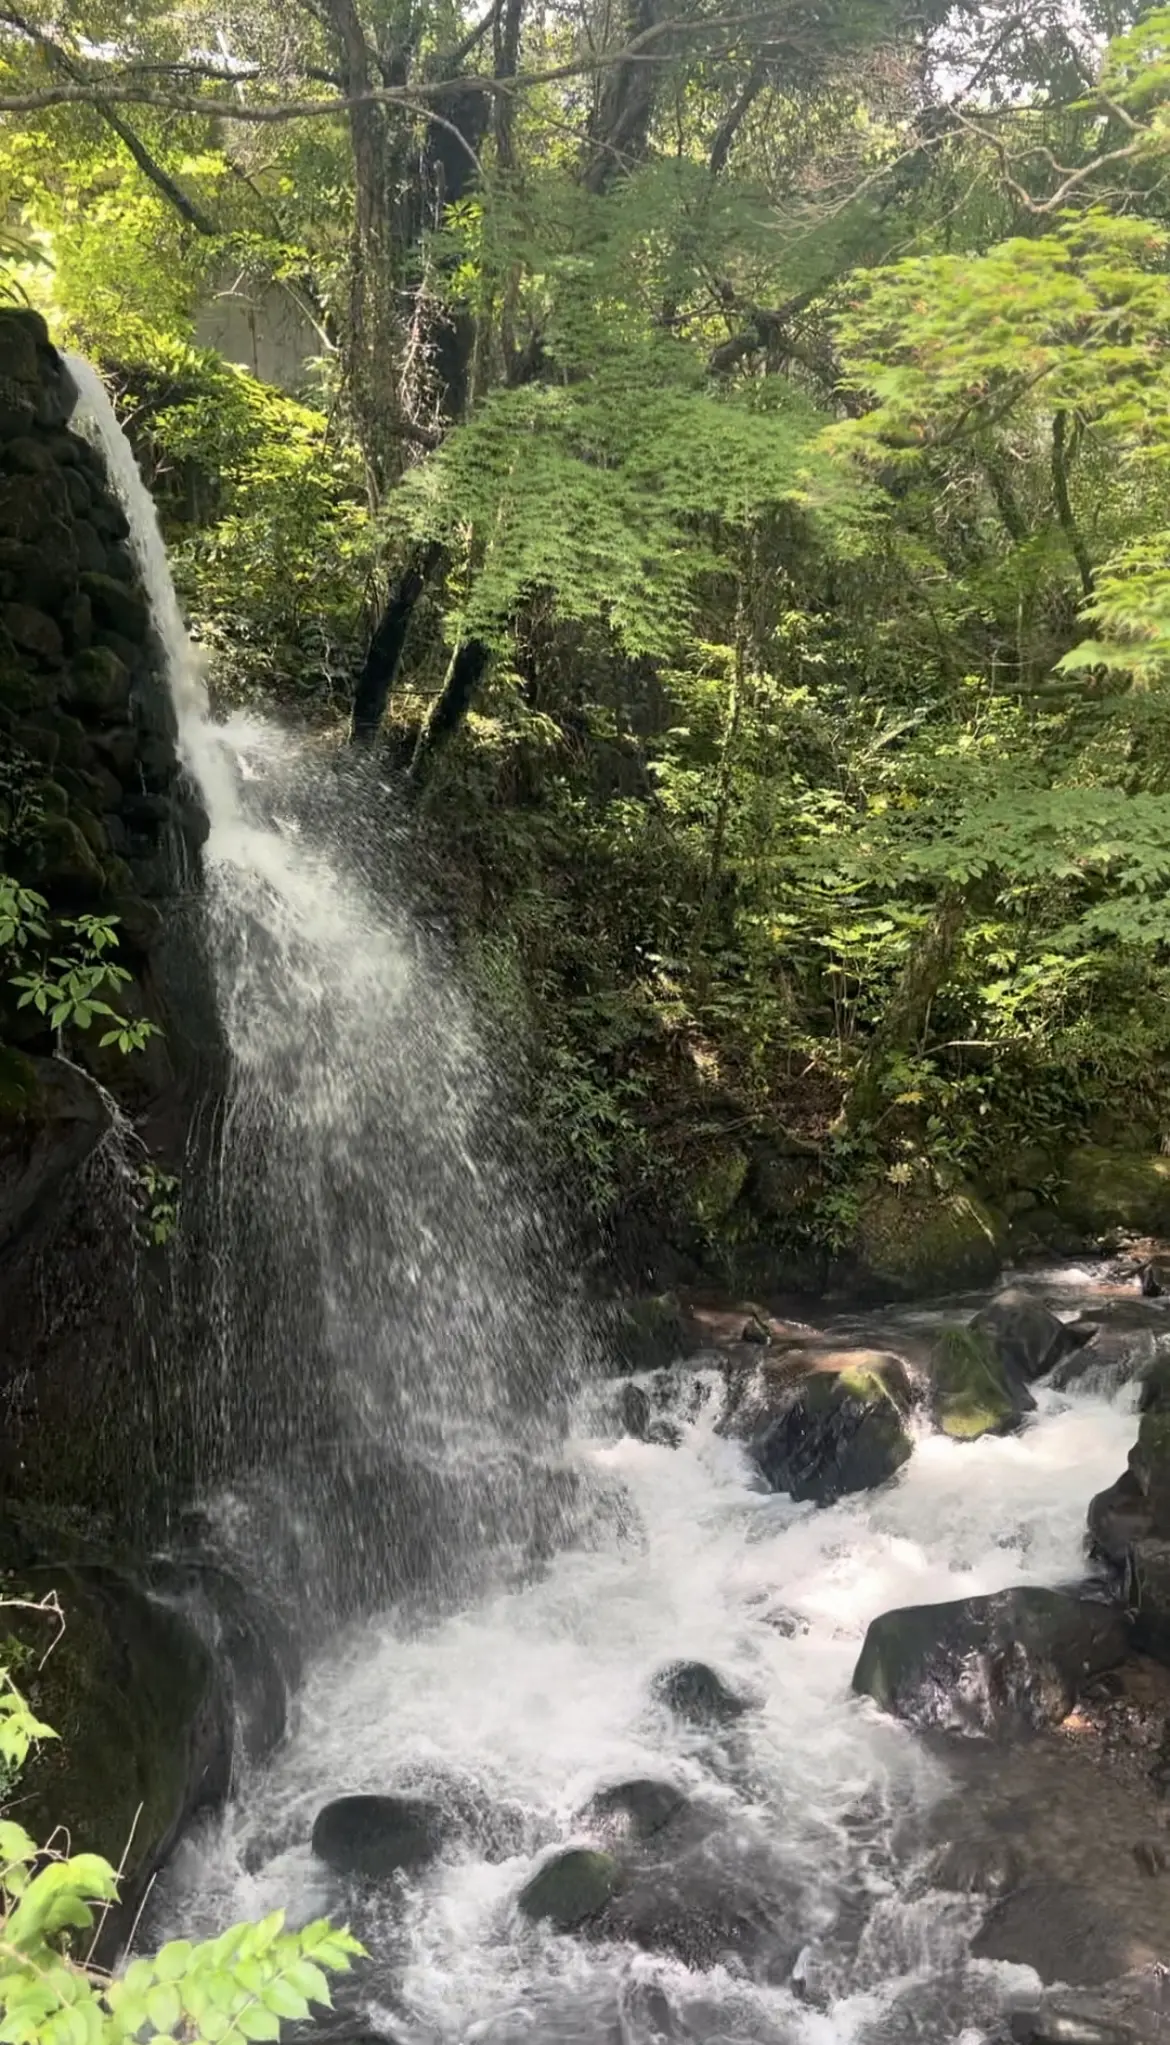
point(541, 1696)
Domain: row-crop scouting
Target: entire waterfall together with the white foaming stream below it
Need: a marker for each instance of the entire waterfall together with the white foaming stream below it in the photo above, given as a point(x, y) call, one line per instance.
point(381, 1330)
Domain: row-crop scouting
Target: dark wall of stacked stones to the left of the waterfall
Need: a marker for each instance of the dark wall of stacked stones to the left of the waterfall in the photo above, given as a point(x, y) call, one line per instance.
point(95, 817)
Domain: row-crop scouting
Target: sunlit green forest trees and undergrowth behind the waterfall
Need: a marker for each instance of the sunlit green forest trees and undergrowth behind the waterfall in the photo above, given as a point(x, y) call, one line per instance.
point(723, 469)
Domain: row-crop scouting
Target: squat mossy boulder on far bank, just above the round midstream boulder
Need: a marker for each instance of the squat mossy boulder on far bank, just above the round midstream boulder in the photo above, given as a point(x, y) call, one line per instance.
point(909, 1244)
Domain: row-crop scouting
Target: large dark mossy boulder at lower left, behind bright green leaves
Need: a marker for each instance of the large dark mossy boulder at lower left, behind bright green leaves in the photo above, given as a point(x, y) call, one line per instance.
point(138, 1711)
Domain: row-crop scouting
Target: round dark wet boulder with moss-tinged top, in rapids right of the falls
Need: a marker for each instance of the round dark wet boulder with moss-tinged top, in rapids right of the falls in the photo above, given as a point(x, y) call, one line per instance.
point(821, 1422)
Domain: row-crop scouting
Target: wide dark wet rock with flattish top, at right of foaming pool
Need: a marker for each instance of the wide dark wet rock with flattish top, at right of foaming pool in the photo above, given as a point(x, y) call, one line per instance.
point(989, 1664)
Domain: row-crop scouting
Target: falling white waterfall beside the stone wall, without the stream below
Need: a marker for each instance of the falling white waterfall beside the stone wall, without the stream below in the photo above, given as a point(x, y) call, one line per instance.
point(379, 1326)
